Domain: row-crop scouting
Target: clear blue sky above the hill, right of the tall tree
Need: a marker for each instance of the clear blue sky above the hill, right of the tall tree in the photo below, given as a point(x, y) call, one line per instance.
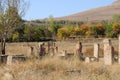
point(40, 9)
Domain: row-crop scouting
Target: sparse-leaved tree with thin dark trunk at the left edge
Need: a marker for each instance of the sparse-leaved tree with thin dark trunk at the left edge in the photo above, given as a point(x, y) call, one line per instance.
point(11, 13)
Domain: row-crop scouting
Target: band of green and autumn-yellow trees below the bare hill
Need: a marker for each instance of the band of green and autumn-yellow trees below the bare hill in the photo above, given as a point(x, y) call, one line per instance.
point(54, 30)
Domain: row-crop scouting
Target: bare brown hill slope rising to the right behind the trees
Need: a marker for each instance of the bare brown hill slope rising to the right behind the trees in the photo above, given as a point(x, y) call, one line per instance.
point(97, 14)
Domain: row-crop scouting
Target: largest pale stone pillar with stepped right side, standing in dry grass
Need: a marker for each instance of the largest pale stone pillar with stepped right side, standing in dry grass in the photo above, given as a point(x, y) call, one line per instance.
point(108, 52)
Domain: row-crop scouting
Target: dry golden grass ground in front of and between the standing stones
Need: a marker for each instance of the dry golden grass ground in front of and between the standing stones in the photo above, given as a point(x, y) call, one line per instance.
point(57, 67)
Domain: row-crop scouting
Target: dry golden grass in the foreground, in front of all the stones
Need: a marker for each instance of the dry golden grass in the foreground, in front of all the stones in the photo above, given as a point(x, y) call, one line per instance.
point(55, 68)
